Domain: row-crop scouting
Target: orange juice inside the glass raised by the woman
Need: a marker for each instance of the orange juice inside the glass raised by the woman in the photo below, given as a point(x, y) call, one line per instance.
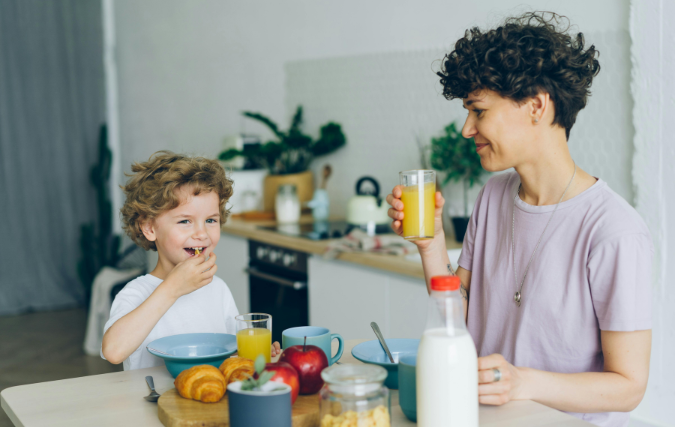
point(418, 211)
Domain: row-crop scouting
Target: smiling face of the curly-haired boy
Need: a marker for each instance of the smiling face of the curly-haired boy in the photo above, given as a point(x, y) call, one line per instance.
point(195, 223)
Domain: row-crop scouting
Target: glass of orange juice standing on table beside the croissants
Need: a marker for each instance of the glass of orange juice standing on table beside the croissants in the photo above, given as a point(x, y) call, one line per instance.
point(254, 335)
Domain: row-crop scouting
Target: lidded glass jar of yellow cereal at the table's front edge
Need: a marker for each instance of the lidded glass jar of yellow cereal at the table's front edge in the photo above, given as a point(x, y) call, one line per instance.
point(354, 395)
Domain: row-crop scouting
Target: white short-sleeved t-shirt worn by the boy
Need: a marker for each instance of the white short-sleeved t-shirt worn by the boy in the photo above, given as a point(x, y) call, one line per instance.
point(210, 309)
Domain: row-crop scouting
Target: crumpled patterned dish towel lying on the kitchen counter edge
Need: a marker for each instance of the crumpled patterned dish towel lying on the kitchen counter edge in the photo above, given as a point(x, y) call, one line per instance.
point(359, 241)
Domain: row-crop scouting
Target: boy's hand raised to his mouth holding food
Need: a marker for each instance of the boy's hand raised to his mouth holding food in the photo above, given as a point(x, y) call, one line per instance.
point(191, 274)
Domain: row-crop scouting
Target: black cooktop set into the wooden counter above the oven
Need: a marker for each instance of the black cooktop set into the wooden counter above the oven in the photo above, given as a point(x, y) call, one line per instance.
point(327, 230)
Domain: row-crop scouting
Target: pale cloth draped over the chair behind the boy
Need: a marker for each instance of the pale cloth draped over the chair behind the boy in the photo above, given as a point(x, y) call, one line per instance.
point(99, 309)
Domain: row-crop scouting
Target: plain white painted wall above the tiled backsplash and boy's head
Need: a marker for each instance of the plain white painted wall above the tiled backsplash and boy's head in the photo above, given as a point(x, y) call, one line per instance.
point(187, 69)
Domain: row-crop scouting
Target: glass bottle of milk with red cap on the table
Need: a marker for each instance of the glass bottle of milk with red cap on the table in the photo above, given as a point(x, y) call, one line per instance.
point(447, 364)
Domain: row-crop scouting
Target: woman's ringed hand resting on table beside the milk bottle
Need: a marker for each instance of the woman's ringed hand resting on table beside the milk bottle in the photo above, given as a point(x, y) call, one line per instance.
point(509, 387)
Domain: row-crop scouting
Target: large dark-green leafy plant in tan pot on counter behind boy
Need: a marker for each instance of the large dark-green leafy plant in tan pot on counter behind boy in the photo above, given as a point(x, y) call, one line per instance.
point(288, 158)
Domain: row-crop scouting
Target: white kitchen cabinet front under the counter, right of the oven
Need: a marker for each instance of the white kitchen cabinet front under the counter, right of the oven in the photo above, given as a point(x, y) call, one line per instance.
point(345, 298)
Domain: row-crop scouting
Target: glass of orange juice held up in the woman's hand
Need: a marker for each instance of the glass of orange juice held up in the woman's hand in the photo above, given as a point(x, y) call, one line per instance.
point(419, 203)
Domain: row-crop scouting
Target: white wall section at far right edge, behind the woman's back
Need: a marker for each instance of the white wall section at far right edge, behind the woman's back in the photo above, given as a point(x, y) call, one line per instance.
point(653, 88)
